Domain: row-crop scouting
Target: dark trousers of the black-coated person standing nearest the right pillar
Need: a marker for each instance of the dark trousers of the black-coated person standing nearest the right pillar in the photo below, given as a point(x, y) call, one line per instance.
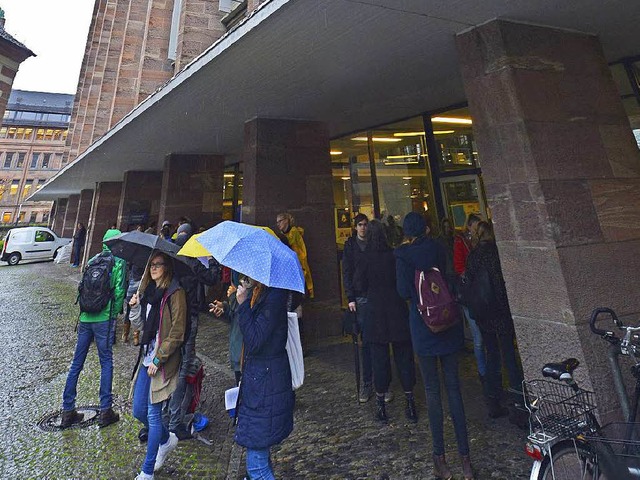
point(501, 343)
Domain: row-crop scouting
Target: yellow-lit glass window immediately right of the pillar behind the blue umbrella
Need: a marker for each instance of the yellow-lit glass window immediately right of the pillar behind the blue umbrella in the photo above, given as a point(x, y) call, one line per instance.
point(382, 172)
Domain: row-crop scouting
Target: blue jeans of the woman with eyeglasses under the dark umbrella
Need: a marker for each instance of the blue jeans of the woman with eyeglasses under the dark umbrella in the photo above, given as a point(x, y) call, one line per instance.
point(150, 414)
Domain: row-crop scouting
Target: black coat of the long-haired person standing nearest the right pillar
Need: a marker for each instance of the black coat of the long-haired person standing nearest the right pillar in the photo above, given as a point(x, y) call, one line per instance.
point(496, 318)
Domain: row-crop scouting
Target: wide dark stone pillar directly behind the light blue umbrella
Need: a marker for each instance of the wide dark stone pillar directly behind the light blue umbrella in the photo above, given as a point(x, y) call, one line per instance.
point(287, 168)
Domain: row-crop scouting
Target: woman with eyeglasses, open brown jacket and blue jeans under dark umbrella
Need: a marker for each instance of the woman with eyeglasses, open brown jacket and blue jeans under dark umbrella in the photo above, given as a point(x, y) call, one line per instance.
point(161, 314)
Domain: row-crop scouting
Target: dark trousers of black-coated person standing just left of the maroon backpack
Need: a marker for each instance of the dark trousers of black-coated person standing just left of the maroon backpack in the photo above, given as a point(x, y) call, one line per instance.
point(403, 357)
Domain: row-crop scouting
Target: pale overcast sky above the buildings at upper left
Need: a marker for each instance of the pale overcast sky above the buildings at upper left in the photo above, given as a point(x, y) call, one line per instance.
point(56, 31)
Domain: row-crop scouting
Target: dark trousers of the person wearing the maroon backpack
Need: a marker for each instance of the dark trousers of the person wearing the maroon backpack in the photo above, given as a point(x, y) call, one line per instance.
point(431, 376)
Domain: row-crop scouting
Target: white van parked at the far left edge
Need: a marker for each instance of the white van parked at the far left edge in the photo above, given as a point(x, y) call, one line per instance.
point(31, 243)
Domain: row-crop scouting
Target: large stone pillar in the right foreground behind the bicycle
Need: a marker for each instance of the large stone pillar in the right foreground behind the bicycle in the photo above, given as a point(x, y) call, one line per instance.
point(562, 175)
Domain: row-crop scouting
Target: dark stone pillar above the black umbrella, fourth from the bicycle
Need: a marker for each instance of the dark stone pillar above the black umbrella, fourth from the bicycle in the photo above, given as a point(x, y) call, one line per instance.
point(140, 199)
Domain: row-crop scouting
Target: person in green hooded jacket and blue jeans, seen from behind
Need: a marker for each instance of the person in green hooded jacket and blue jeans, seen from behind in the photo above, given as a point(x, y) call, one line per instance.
point(97, 327)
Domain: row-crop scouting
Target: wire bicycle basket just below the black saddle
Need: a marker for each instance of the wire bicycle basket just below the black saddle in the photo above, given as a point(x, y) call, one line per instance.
point(556, 409)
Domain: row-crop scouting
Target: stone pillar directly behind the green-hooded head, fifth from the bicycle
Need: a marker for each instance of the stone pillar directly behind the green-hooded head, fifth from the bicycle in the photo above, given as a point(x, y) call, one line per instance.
point(104, 208)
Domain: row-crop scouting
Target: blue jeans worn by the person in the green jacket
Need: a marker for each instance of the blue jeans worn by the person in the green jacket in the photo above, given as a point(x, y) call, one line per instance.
point(98, 332)
